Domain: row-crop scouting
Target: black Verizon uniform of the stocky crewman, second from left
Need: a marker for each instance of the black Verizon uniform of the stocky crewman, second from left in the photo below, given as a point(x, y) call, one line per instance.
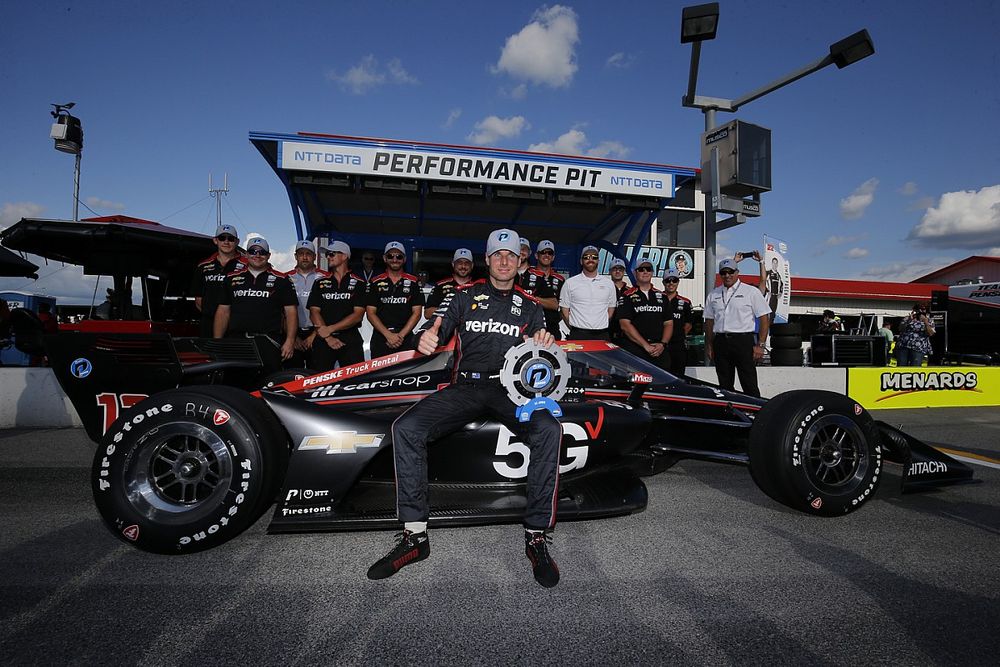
point(257, 306)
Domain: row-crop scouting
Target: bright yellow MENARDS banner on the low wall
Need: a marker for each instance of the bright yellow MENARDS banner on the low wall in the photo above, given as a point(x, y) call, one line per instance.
point(946, 386)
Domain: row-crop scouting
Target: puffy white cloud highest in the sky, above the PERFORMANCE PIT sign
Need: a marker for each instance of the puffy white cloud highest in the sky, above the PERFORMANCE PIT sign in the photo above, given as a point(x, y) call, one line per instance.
point(544, 51)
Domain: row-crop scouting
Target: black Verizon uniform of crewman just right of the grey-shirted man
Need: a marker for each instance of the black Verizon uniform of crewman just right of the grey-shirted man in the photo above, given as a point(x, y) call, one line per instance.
point(337, 300)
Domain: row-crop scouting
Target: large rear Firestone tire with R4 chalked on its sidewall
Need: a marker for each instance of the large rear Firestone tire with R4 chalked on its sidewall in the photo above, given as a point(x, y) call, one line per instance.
point(188, 469)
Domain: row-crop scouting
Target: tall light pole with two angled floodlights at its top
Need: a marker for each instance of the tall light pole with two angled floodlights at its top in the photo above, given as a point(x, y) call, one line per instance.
point(698, 24)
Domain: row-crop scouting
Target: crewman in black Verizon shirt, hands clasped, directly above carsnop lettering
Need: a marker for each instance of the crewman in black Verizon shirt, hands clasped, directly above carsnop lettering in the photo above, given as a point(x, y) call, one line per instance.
point(395, 304)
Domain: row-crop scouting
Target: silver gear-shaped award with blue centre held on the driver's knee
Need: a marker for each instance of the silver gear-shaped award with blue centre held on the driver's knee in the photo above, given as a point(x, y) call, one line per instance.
point(535, 377)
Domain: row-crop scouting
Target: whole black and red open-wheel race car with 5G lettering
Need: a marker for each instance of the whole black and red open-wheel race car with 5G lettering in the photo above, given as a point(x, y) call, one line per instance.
point(185, 463)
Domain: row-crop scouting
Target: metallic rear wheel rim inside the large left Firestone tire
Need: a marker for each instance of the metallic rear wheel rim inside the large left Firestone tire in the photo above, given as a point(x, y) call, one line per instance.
point(179, 473)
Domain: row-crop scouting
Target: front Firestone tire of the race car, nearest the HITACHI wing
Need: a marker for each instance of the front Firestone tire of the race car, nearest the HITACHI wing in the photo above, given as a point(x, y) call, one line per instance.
point(816, 451)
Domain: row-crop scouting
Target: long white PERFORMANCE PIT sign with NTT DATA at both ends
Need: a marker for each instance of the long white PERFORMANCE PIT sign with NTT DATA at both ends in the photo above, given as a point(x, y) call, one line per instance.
point(475, 167)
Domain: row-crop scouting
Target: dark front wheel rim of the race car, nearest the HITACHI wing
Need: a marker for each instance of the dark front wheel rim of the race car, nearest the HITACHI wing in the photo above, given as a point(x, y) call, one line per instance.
point(834, 453)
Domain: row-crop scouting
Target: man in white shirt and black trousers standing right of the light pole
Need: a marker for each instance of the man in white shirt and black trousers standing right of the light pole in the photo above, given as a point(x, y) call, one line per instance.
point(730, 310)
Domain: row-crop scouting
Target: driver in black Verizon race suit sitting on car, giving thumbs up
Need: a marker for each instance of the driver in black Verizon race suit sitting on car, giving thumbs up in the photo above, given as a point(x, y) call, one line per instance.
point(485, 334)
